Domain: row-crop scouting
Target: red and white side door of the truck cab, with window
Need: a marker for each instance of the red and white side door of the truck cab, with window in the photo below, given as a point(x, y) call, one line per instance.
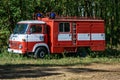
point(35, 36)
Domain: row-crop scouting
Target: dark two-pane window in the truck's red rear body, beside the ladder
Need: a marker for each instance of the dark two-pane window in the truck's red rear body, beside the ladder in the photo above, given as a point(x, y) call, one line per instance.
point(64, 27)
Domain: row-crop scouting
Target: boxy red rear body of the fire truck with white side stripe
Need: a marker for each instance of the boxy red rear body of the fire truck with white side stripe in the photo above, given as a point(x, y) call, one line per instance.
point(83, 33)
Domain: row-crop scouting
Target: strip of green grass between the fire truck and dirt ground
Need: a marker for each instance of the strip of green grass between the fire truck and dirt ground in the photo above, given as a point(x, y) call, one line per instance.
point(9, 59)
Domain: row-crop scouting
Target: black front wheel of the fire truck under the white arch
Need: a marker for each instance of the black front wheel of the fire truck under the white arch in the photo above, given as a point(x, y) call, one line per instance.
point(40, 52)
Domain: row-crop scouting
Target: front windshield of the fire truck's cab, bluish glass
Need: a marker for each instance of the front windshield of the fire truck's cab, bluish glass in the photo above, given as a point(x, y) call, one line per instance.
point(20, 29)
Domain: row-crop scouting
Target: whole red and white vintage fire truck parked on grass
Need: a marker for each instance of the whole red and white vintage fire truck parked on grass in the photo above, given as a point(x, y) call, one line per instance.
point(57, 35)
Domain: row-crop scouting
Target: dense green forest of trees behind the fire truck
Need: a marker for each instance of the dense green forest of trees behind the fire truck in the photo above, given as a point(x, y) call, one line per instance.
point(12, 11)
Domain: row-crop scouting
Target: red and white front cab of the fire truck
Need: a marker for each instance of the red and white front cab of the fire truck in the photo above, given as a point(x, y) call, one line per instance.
point(29, 36)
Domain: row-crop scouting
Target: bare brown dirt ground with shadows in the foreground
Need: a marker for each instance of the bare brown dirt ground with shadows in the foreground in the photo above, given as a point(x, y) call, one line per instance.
point(94, 71)
